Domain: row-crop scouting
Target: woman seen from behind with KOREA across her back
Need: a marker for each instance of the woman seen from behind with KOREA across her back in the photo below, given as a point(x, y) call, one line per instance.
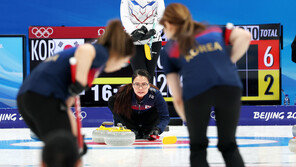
point(199, 54)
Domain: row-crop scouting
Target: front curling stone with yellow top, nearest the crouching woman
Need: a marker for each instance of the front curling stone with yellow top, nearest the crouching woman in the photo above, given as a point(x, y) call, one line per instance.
point(120, 136)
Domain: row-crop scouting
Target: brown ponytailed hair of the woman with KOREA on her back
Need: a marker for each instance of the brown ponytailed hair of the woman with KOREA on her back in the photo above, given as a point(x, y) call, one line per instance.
point(179, 15)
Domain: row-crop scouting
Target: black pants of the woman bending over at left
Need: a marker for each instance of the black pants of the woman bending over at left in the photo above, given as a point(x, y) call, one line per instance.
point(43, 114)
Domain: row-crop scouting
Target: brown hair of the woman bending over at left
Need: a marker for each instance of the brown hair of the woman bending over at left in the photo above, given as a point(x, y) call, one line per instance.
point(116, 39)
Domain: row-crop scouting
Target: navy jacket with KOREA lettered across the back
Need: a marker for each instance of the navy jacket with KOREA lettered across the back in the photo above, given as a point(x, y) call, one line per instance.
point(206, 66)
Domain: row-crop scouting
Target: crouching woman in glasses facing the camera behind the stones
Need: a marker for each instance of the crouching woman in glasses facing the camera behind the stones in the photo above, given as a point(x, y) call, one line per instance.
point(140, 107)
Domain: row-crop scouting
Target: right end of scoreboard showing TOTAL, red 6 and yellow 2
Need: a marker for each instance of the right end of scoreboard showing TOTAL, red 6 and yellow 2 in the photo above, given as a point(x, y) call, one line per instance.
point(259, 68)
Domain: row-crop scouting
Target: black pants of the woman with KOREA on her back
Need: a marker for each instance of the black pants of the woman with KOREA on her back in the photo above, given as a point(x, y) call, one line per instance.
point(227, 102)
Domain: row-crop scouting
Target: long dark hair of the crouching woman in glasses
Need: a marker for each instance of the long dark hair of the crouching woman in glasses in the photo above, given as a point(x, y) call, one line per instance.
point(123, 98)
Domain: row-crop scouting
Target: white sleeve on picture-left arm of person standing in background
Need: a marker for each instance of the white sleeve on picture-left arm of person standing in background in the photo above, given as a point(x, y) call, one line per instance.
point(125, 17)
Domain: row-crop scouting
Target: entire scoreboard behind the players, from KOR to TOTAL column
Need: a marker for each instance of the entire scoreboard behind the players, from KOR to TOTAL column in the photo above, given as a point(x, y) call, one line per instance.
point(259, 68)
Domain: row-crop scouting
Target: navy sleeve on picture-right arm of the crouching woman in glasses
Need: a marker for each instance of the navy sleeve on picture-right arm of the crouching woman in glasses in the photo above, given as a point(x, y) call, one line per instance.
point(162, 108)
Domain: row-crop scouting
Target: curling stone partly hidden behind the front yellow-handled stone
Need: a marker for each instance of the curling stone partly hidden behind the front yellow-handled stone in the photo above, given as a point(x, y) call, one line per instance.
point(99, 134)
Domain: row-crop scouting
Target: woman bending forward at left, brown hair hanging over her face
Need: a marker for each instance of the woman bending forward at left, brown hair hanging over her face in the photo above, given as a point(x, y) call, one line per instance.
point(46, 95)
